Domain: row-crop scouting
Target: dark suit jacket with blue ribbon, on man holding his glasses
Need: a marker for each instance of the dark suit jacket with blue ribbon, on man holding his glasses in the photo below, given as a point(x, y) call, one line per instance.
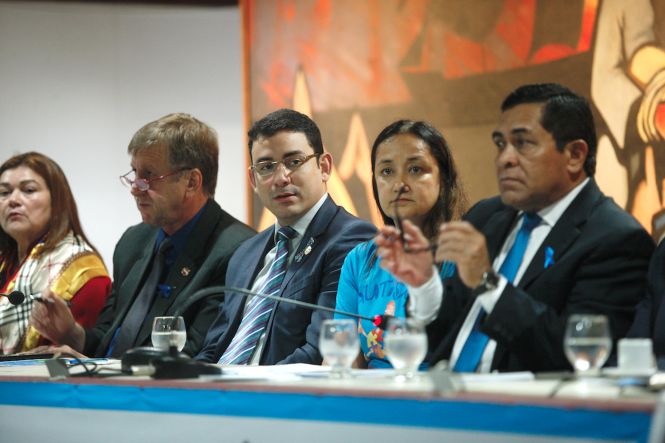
point(600, 256)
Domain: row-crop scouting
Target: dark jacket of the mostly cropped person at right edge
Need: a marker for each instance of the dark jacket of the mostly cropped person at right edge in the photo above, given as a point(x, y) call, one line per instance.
point(650, 317)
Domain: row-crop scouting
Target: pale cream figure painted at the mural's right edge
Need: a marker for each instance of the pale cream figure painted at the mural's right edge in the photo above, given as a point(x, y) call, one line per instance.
point(628, 89)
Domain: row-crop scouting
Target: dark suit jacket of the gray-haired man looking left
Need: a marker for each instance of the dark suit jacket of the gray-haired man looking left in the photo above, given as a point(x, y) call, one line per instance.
point(209, 247)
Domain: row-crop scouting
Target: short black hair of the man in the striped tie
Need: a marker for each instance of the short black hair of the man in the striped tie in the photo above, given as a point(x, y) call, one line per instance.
point(286, 120)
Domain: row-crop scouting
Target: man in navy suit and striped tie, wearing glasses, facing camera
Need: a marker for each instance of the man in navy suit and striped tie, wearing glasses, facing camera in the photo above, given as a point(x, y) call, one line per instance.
point(299, 257)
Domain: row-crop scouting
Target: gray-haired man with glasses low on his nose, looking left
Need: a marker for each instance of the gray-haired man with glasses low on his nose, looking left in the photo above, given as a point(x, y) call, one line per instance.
point(184, 244)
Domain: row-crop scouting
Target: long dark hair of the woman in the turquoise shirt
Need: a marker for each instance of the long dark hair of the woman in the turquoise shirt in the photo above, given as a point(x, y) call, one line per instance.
point(452, 201)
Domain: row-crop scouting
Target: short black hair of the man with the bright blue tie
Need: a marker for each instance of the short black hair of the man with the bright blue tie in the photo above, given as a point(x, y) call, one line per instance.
point(566, 115)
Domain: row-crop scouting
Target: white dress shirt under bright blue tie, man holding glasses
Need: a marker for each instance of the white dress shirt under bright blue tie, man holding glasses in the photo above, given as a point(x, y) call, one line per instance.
point(549, 215)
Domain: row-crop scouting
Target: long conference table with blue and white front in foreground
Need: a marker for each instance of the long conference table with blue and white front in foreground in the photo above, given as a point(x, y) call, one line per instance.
point(302, 403)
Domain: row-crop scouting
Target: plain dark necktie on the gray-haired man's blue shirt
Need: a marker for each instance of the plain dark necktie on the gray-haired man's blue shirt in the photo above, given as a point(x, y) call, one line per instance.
point(134, 319)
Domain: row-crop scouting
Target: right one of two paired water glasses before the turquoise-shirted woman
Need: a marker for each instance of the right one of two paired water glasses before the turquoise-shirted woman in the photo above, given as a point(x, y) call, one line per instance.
point(405, 344)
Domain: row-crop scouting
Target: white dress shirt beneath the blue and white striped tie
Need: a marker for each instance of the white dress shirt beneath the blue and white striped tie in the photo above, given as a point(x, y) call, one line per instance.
point(300, 227)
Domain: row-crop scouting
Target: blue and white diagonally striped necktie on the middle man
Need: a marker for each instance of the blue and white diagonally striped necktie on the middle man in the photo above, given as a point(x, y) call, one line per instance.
point(258, 309)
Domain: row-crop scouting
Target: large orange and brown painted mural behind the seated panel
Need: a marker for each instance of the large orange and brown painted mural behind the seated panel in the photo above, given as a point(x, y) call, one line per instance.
point(355, 66)
